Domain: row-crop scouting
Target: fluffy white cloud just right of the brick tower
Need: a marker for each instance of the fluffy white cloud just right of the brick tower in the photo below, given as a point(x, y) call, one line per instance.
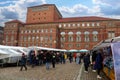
point(80, 10)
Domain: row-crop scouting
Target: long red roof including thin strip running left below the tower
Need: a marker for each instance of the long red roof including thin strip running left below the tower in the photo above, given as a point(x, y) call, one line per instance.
point(78, 19)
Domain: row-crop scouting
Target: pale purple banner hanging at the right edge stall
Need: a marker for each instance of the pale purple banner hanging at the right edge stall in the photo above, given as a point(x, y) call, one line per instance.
point(116, 58)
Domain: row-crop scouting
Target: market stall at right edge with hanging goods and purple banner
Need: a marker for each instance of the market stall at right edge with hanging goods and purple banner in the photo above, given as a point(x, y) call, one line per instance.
point(111, 52)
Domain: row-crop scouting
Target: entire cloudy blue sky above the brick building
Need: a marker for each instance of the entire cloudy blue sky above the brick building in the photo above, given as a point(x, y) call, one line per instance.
point(16, 9)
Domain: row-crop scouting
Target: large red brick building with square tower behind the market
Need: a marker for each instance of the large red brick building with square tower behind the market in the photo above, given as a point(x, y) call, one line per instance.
point(46, 27)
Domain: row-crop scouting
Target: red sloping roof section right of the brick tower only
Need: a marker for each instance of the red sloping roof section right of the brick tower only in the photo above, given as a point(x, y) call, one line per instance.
point(89, 18)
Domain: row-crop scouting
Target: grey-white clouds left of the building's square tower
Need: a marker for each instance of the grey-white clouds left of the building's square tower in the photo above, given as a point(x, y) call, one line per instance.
point(16, 9)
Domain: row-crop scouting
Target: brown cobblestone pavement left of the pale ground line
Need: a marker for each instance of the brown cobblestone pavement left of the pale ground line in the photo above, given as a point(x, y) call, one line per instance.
point(68, 71)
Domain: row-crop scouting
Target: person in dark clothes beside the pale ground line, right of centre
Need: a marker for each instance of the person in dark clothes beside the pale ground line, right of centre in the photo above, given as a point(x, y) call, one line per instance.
point(86, 60)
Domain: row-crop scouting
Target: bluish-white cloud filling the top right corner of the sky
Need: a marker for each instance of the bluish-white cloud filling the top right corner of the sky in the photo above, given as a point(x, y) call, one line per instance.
point(108, 7)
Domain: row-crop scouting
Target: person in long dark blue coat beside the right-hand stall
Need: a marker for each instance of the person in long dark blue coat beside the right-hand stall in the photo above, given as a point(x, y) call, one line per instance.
point(98, 64)
